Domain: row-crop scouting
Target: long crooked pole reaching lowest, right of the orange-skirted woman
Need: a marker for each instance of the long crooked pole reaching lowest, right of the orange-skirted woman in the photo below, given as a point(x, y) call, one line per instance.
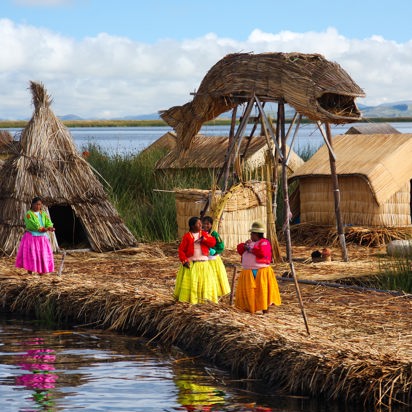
point(286, 225)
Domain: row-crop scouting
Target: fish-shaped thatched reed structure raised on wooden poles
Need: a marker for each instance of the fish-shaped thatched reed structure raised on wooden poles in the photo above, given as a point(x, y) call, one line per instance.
point(314, 86)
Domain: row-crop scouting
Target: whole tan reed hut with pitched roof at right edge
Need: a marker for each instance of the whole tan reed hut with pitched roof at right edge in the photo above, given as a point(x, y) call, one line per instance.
point(375, 179)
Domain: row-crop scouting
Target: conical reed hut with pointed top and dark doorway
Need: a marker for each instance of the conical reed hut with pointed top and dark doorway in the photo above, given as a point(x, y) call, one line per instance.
point(49, 166)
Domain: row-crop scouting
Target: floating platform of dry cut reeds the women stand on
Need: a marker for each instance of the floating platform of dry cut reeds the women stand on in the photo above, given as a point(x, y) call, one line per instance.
point(359, 349)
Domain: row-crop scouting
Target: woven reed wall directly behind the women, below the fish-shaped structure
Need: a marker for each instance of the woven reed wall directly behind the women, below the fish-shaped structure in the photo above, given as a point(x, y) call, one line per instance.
point(243, 208)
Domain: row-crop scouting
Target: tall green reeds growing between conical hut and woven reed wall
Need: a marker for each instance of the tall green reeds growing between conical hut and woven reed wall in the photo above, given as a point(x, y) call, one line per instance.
point(143, 196)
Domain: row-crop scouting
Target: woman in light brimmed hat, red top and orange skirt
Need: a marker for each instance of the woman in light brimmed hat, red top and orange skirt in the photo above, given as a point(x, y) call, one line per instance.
point(257, 288)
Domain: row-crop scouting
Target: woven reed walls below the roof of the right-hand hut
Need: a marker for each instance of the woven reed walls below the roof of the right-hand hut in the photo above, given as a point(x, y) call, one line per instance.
point(358, 206)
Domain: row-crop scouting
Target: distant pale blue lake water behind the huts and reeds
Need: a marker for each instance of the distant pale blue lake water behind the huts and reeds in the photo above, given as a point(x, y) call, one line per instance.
point(131, 140)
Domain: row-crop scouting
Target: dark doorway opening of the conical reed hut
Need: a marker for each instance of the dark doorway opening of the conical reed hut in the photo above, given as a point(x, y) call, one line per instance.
point(70, 233)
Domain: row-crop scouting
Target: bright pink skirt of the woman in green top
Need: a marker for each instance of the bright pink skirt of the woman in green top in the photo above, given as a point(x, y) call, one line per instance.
point(35, 254)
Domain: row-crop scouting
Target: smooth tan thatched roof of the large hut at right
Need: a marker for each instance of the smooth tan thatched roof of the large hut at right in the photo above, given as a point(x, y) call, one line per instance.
point(383, 160)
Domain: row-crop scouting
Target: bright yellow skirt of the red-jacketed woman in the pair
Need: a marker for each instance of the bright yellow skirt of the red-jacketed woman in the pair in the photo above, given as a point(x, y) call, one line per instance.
point(197, 284)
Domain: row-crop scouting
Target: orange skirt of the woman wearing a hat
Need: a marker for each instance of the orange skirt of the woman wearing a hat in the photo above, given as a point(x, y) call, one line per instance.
point(257, 294)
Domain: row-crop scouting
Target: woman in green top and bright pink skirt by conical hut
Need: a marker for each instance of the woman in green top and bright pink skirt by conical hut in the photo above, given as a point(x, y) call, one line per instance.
point(35, 253)
